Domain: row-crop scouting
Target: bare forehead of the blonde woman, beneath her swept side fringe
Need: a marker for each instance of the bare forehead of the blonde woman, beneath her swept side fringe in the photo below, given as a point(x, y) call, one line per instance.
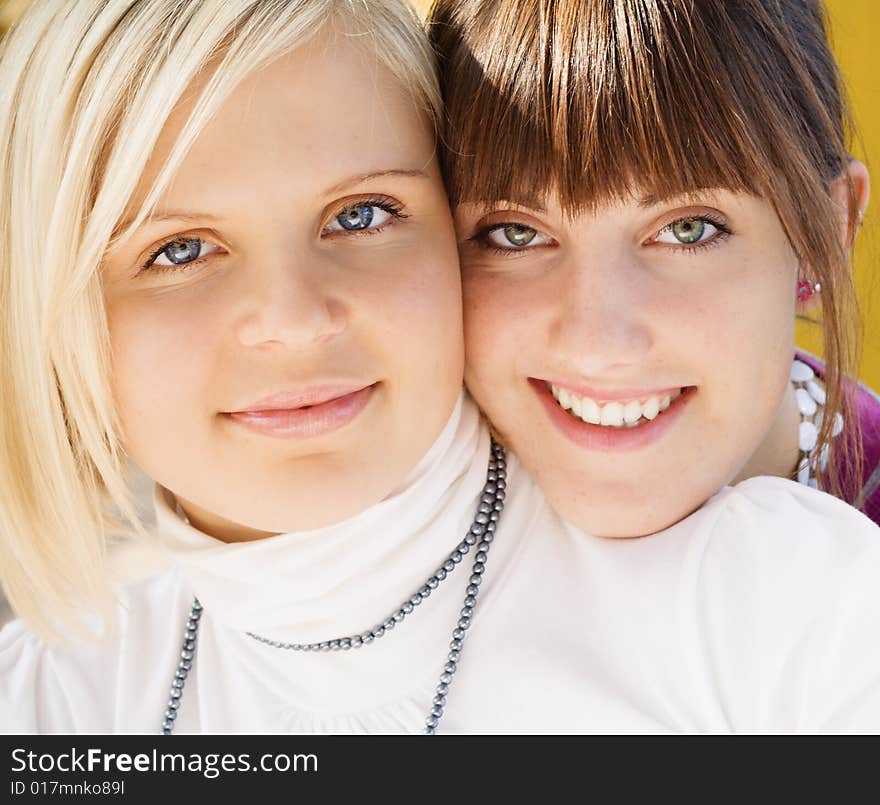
point(325, 111)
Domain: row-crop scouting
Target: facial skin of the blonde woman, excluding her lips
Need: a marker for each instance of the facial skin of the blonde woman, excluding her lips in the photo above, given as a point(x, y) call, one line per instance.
point(279, 297)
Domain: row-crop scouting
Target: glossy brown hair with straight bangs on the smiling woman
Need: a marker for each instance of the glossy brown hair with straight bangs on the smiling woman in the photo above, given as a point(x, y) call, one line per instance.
point(597, 99)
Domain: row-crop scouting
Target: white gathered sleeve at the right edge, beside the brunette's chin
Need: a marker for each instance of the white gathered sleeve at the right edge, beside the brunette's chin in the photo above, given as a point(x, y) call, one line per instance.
point(799, 650)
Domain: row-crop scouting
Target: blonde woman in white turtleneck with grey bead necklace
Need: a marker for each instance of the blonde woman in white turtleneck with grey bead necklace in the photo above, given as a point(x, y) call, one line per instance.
point(227, 255)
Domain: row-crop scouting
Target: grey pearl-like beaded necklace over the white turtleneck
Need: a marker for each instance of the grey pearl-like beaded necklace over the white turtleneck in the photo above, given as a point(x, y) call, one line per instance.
point(481, 534)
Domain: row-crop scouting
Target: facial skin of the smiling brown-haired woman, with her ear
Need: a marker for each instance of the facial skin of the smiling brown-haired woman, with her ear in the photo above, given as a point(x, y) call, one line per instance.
point(615, 301)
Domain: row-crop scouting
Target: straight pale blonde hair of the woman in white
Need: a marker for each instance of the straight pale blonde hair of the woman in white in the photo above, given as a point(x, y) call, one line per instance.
point(85, 89)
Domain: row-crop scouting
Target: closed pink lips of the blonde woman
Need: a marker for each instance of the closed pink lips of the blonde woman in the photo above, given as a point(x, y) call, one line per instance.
point(304, 414)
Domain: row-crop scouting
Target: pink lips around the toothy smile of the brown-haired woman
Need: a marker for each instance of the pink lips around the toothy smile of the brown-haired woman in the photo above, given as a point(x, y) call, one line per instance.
point(607, 438)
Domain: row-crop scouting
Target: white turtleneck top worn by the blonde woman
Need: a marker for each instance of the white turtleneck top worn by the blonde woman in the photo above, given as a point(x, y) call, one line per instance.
point(758, 613)
